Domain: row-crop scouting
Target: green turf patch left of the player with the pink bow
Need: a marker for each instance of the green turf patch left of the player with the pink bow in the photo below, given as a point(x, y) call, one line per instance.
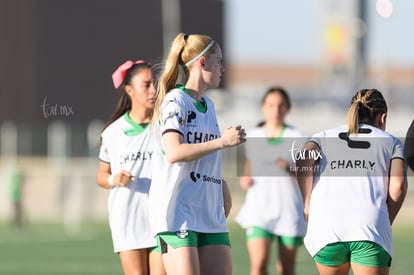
point(47, 249)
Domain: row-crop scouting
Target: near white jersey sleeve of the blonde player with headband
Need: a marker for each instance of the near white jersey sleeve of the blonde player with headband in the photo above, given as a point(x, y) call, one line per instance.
point(173, 116)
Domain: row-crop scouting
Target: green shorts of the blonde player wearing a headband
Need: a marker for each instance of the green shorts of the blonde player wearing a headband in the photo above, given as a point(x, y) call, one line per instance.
point(188, 238)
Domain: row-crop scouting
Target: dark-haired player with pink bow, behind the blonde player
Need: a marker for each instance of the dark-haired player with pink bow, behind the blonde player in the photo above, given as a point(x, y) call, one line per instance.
point(126, 157)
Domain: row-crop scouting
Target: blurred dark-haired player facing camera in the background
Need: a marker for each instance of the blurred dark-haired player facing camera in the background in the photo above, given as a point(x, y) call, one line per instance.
point(273, 207)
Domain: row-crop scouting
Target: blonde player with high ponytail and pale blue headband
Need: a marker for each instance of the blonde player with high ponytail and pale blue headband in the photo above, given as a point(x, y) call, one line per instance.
point(189, 199)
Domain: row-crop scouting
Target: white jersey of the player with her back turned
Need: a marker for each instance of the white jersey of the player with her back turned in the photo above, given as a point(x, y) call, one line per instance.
point(348, 200)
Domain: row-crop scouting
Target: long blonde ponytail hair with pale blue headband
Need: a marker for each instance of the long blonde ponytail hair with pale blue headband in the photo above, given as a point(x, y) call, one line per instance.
point(185, 49)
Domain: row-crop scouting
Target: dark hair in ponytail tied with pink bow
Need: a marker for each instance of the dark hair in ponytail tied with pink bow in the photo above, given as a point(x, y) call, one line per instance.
point(121, 78)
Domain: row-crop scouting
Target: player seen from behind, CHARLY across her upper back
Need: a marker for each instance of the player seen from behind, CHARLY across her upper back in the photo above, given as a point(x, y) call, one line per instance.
point(353, 182)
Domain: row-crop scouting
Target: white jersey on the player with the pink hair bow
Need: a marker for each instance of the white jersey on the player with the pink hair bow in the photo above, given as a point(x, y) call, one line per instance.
point(128, 146)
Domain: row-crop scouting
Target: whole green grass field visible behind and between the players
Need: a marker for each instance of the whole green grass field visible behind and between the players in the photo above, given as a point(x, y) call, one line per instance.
point(45, 249)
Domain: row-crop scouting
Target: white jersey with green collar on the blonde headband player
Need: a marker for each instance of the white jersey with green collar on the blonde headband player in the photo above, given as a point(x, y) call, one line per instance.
point(187, 195)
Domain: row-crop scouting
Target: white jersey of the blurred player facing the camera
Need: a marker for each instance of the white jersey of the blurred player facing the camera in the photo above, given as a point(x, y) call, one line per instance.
point(274, 201)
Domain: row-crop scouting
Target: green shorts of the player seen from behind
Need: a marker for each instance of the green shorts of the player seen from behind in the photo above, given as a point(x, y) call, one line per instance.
point(364, 253)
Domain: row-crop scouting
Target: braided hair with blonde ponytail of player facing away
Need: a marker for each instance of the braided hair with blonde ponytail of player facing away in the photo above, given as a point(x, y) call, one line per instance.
point(366, 105)
